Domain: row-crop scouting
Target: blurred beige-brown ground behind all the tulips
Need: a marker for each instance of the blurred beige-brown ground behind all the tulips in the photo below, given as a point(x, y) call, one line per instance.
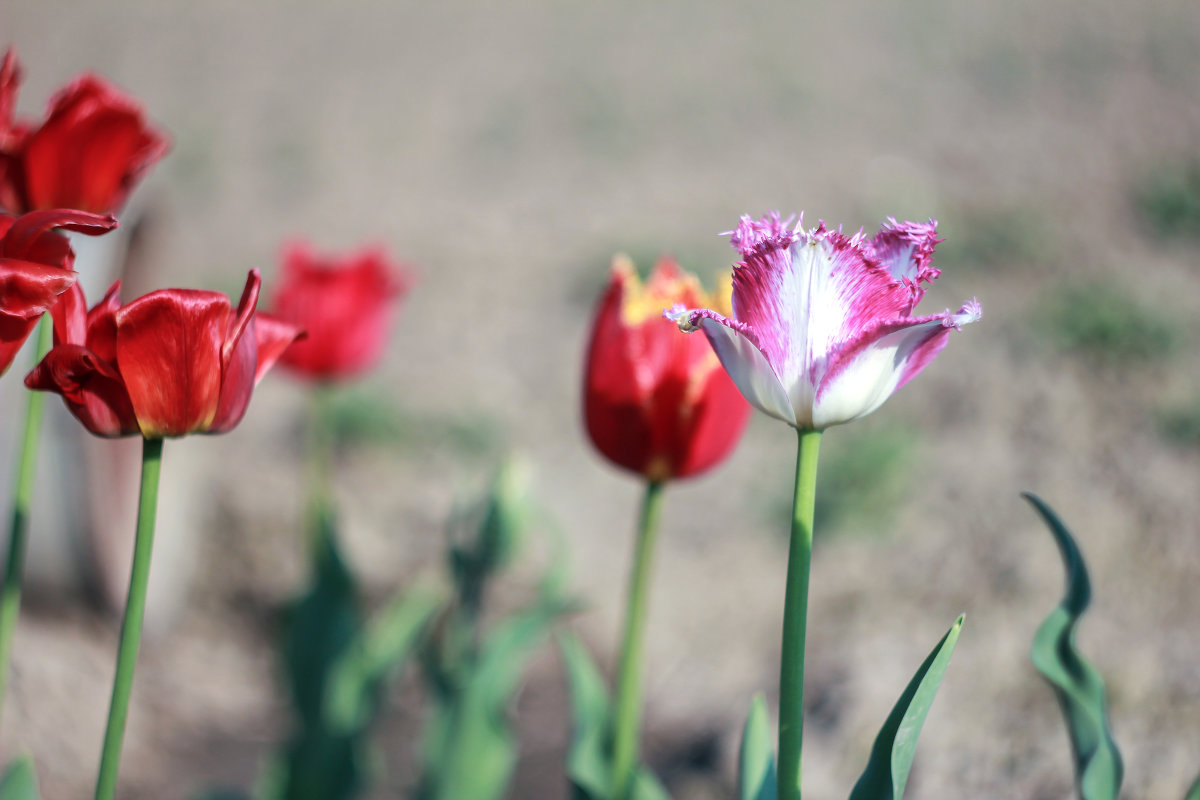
point(507, 152)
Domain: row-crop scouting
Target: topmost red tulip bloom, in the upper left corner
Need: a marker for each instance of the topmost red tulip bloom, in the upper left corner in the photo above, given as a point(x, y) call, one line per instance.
point(91, 152)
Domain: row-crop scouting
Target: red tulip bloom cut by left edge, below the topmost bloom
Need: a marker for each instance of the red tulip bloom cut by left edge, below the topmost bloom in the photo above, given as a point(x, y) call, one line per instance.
point(37, 268)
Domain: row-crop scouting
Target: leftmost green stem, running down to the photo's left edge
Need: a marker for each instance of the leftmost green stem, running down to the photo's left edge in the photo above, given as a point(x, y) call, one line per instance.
point(23, 497)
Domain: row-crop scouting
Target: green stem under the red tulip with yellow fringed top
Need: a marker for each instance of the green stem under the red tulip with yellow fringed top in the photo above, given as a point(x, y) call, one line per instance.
point(626, 723)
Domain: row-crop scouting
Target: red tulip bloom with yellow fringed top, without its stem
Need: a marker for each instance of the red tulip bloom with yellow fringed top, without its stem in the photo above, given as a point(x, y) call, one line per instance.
point(655, 402)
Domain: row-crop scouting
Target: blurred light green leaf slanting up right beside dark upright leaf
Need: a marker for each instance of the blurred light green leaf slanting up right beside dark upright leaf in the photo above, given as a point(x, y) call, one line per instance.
point(357, 679)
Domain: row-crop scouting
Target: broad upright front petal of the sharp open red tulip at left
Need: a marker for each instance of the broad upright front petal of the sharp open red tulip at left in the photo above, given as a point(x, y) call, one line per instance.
point(169, 352)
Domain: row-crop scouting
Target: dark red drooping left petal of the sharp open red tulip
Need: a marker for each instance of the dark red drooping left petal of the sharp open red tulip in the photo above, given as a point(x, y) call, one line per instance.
point(91, 388)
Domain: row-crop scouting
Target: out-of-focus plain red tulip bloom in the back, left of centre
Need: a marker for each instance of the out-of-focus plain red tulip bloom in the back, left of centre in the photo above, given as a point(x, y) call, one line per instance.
point(345, 305)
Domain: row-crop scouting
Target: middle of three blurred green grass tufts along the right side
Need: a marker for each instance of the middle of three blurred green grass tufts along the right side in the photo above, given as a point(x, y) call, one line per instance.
point(1106, 324)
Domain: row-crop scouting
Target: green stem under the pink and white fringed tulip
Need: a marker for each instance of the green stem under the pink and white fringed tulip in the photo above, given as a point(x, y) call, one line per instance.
point(796, 611)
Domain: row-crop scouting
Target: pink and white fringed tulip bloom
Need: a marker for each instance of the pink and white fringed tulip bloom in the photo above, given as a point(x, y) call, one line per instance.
point(823, 329)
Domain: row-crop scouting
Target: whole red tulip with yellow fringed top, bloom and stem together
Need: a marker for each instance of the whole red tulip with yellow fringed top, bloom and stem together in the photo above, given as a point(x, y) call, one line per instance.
point(657, 405)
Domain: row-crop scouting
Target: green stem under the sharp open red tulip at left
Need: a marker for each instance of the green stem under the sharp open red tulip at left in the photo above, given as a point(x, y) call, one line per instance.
point(131, 628)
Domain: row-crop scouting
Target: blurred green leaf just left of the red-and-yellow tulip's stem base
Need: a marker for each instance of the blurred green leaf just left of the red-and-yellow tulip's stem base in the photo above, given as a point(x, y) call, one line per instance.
point(590, 757)
